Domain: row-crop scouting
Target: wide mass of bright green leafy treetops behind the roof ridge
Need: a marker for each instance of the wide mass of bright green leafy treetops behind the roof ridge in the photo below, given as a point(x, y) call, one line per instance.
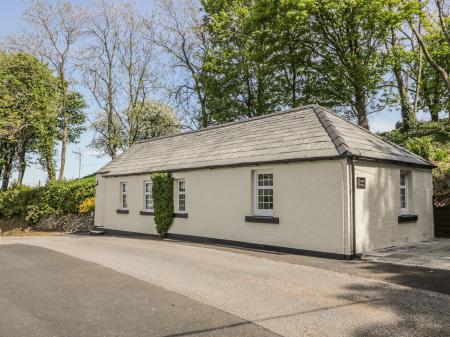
point(267, 54)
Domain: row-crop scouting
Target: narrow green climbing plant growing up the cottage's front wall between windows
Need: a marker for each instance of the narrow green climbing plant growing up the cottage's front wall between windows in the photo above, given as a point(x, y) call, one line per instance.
point(163, 201)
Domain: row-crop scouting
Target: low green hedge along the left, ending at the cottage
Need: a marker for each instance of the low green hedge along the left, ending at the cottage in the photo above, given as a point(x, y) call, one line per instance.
point(33, 203)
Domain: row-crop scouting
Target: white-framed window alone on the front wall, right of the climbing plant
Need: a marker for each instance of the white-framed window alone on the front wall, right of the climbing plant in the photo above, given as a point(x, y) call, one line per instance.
point(263, 193)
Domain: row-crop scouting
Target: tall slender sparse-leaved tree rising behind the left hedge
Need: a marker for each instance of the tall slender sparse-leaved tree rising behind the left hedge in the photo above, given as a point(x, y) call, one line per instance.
point(52, 33)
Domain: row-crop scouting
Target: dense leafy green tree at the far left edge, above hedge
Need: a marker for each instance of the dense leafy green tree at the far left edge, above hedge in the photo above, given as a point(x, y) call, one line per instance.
point(28, 110)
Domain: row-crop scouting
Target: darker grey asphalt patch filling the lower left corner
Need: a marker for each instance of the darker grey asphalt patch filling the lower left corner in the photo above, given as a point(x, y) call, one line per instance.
point(46, 293)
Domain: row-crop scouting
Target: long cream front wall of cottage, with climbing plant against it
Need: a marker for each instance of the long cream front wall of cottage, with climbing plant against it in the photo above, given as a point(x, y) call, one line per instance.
point(310, 200)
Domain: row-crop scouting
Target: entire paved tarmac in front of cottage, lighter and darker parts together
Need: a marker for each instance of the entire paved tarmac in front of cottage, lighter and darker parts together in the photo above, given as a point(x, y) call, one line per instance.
point(222, 288)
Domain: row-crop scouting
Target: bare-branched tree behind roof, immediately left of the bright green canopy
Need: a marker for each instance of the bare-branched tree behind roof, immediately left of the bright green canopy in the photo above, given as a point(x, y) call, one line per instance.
point(182, 36)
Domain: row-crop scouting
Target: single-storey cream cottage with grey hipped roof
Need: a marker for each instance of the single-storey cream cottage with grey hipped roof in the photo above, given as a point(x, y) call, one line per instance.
point(304, 180)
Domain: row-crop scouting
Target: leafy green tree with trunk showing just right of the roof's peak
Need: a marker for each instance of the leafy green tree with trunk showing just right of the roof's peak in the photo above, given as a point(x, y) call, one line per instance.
point(348, 40)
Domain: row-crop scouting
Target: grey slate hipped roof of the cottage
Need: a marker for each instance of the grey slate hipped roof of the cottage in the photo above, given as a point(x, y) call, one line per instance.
point(306, 133)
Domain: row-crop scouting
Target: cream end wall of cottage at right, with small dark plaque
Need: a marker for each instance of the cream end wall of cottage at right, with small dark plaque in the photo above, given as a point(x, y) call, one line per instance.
point(378, 206)
